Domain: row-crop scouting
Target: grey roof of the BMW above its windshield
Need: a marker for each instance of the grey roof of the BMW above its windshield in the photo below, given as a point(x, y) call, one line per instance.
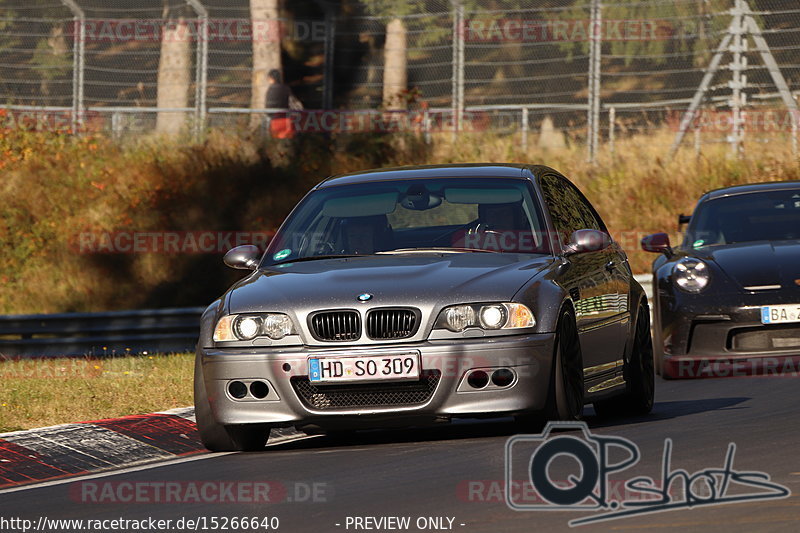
point(477, 170)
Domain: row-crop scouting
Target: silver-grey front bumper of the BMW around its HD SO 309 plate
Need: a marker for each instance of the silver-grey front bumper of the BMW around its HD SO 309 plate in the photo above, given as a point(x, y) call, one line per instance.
point(285, 372)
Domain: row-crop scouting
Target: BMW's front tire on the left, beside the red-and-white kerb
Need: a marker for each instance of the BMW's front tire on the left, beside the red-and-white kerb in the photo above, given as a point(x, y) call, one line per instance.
point(216, 437)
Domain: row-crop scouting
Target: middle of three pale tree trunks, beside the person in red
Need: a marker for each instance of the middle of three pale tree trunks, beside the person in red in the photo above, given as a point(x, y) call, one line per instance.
point(266, 49)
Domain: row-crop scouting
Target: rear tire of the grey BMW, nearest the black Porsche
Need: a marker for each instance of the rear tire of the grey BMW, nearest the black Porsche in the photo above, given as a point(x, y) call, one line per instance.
point(639, 373)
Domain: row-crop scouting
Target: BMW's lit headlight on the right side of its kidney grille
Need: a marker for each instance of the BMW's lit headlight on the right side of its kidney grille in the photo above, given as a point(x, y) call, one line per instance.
point(457, 318)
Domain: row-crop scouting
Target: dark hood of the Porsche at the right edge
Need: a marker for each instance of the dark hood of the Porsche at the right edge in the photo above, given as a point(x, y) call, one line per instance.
point(758, 264)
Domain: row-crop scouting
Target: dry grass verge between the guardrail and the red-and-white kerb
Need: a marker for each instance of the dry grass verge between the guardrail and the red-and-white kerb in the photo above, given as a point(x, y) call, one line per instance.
point(44, 392)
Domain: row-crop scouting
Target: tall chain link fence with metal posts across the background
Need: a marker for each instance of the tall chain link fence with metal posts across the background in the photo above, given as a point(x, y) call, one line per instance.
point(564, 72)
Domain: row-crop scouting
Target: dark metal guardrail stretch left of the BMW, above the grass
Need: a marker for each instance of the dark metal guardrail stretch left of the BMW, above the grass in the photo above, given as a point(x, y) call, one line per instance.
point(106, 334)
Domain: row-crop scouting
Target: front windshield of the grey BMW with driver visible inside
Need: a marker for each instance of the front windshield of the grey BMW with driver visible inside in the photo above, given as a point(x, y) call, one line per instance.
point(406, 216)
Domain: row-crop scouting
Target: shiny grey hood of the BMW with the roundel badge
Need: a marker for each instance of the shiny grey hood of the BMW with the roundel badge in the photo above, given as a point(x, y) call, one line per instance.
point(417, 280)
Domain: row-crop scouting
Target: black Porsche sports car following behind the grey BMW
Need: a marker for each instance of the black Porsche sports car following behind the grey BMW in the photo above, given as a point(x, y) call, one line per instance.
point(731, 290)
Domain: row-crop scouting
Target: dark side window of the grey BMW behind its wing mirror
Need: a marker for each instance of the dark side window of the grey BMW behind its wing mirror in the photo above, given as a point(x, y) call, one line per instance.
point(568, 208)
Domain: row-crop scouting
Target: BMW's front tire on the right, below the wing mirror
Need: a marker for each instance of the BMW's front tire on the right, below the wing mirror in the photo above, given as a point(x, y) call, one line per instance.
point(566, 391)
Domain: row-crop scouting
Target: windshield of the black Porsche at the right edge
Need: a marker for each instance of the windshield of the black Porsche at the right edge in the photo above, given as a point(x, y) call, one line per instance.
point(761, 216)
